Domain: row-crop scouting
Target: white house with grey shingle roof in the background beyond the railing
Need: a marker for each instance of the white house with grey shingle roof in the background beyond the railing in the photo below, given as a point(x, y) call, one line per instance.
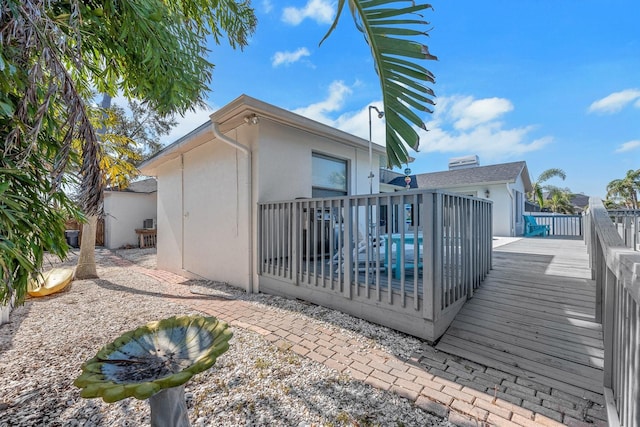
point(504, 184)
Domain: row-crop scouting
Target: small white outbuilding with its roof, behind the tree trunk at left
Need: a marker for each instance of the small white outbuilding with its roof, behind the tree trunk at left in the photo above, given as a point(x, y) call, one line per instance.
point(126, 210)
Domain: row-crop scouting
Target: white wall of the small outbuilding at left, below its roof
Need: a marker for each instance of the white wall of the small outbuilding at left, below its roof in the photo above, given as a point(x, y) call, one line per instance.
point(124, 212)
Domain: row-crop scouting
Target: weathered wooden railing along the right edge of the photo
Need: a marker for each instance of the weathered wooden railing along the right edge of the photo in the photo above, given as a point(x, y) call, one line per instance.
point(616, 270)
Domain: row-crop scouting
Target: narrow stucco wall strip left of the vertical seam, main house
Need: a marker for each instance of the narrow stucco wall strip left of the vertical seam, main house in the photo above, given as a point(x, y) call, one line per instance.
point(169, 223)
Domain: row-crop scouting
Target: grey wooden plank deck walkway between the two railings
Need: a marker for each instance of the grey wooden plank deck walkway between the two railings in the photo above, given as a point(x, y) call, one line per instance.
point(533, 317)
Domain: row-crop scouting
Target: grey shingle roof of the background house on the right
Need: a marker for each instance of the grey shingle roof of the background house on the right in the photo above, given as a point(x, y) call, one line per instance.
point(476, 175)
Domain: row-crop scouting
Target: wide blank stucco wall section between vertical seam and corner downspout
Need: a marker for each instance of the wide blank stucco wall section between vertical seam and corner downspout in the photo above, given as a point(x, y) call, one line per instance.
point(216, 213)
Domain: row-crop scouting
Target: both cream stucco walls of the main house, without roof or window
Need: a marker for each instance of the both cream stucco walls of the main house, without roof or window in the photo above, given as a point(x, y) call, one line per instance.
point(206, 213)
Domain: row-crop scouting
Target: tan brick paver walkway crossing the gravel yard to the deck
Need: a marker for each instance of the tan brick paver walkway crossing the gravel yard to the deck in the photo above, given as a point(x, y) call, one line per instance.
point(468, 393)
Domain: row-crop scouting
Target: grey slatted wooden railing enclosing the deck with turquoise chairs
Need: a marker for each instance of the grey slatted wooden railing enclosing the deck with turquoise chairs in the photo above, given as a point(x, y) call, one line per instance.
point(407, 260)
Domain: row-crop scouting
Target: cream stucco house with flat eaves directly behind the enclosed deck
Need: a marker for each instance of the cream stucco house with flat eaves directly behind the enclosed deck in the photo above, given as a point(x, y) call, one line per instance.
point(210, 181)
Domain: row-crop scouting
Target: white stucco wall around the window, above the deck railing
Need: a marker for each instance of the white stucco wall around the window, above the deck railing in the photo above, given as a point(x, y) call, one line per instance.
point(284, 162)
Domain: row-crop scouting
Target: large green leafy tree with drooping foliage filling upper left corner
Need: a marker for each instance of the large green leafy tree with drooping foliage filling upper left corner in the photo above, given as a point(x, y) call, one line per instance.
point(52, 54)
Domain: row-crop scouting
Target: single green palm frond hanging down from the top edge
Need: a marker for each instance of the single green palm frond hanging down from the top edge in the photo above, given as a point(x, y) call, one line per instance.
point(391, 33)
